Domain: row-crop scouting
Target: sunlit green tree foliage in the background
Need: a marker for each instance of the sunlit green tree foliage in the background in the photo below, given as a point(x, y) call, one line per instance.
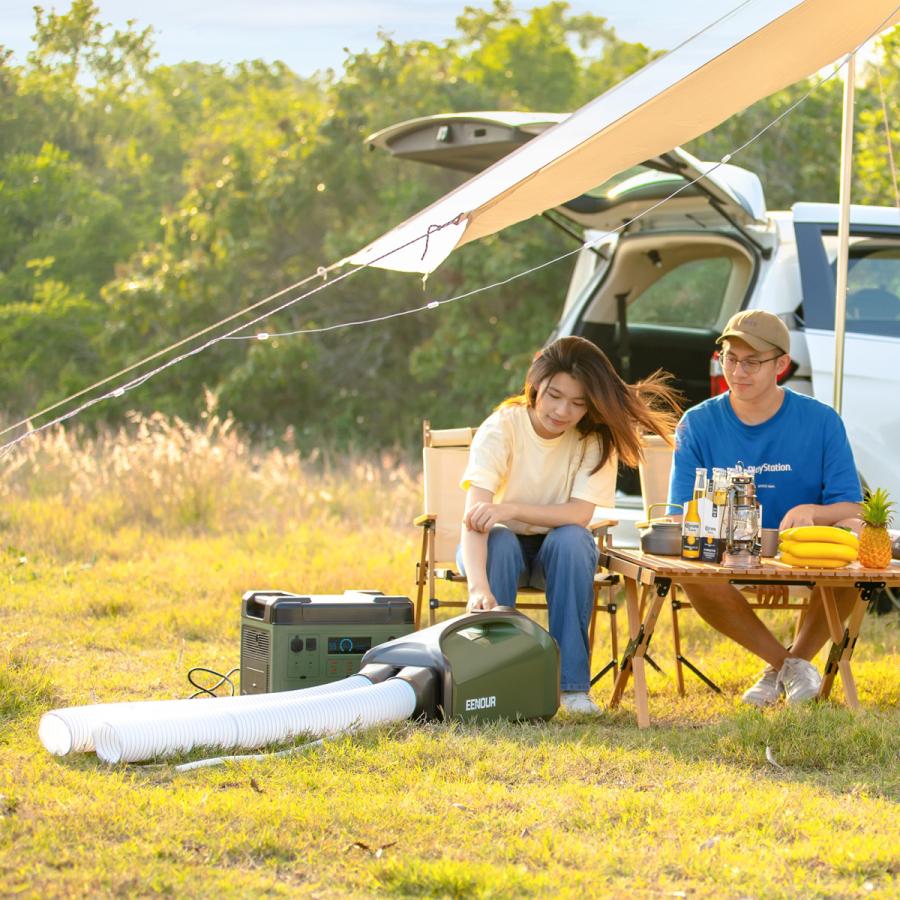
point(143, 202)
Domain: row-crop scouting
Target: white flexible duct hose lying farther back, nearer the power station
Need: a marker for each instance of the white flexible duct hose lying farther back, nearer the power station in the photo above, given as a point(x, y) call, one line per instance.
point(68, 730)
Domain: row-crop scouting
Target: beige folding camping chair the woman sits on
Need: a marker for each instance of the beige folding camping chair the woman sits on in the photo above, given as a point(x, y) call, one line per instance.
point(445, 453)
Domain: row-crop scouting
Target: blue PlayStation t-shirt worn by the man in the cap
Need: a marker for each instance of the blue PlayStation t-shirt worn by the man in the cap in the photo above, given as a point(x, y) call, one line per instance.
point(800, 455)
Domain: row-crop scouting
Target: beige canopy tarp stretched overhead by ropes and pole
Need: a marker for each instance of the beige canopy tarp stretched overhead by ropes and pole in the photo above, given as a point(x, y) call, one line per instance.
point(748, 53)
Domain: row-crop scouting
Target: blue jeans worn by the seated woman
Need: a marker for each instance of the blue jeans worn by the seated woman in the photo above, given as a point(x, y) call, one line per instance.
point(562, 563)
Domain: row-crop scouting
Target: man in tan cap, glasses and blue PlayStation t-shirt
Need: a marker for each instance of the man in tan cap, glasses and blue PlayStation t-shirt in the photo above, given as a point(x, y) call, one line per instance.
point(805, 475)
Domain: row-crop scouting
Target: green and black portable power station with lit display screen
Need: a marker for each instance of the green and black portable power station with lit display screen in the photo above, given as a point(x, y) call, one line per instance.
point(291, 641)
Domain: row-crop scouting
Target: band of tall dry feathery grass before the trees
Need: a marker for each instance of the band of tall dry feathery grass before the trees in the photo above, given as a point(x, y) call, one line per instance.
point(165, 476)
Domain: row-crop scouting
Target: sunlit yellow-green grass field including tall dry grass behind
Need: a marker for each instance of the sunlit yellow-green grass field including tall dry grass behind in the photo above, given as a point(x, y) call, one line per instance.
point(123, 560)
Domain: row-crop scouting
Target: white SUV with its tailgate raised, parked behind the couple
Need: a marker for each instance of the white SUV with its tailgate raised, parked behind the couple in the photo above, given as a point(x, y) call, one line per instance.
point(658, 291)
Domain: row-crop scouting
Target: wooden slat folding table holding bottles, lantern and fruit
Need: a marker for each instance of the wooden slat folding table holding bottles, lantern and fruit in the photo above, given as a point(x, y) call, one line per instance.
point(648, 578)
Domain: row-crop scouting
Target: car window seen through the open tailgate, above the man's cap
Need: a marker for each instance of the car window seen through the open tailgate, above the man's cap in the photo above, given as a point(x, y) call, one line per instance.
point(689, 295)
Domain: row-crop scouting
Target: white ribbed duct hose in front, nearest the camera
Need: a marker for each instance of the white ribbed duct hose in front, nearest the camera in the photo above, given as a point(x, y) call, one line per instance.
point(144, 736)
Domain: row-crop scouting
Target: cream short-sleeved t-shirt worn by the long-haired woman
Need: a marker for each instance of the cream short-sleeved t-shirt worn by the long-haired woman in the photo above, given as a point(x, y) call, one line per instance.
point(512, 461)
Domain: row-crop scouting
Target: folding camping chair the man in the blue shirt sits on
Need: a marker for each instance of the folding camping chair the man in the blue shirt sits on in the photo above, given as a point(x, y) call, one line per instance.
point(654, 473)
